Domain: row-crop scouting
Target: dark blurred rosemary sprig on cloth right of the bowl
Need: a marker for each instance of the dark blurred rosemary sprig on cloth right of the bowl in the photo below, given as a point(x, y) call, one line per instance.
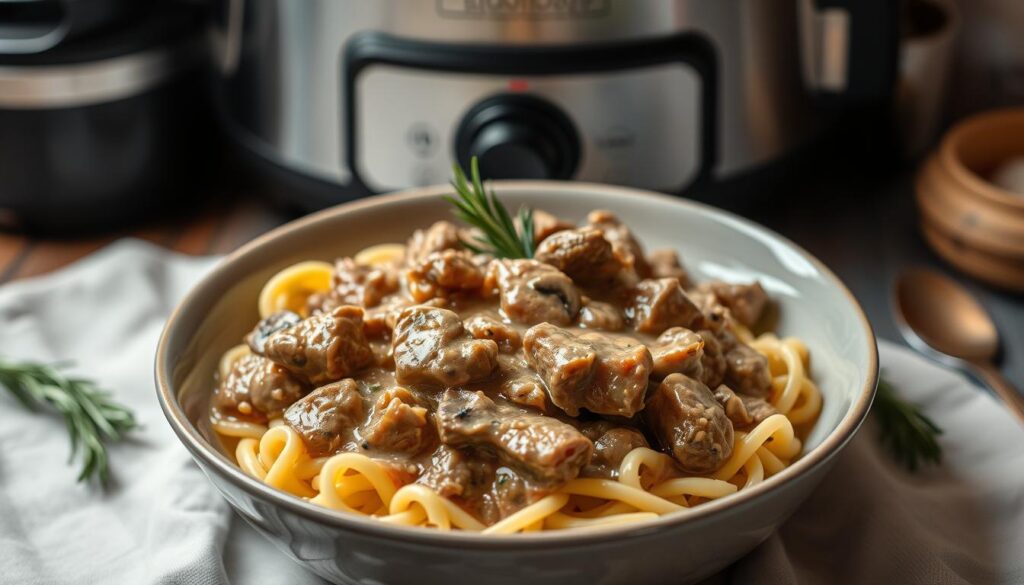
point(910, 436)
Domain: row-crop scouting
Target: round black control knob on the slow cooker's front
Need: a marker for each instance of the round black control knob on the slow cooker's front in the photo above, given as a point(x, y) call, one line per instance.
point(519, 137)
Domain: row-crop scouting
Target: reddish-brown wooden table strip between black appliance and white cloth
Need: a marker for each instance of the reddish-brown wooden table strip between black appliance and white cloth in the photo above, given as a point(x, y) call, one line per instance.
point(216, 231)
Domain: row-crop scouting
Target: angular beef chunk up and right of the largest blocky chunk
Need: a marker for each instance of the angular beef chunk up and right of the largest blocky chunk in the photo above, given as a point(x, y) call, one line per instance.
point(659, 305)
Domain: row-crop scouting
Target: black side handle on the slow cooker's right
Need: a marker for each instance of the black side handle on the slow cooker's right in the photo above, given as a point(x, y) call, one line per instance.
point(849, 50)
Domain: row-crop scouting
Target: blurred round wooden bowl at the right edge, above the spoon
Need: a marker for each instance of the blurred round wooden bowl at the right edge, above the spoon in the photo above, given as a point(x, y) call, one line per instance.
point(973, 224)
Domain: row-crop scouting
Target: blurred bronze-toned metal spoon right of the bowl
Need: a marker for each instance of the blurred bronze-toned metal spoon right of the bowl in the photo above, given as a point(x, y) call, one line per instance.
point(941, 319)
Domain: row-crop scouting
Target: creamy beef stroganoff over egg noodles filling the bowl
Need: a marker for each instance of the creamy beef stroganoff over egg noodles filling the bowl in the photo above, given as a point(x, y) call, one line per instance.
point(590, 386)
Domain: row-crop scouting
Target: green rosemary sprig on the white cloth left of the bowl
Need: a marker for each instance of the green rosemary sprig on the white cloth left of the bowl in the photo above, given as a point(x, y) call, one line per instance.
point(92, 416)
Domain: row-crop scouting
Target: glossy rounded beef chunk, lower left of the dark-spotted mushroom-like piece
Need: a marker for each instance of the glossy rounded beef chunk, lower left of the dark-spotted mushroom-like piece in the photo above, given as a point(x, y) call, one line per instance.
point(432, 347)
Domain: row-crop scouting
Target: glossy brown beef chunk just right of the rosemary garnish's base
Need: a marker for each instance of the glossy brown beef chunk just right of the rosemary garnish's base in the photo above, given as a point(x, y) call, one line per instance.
point(583, 254)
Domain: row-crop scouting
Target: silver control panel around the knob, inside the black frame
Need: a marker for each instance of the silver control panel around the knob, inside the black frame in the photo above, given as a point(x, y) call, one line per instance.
point(639, 127)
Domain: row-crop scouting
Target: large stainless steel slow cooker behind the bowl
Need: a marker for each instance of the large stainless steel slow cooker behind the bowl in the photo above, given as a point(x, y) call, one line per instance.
point(333, 100)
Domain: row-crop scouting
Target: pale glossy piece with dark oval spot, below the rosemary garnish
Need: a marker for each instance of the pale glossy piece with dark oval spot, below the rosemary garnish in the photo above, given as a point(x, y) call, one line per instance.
point(533, 292)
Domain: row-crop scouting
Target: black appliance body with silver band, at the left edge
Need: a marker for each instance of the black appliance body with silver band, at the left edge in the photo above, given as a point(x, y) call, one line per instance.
point(106, 129)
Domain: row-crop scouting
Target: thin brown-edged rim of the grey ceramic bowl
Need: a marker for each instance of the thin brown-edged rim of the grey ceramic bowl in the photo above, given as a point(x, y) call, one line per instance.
point(219, 464)
